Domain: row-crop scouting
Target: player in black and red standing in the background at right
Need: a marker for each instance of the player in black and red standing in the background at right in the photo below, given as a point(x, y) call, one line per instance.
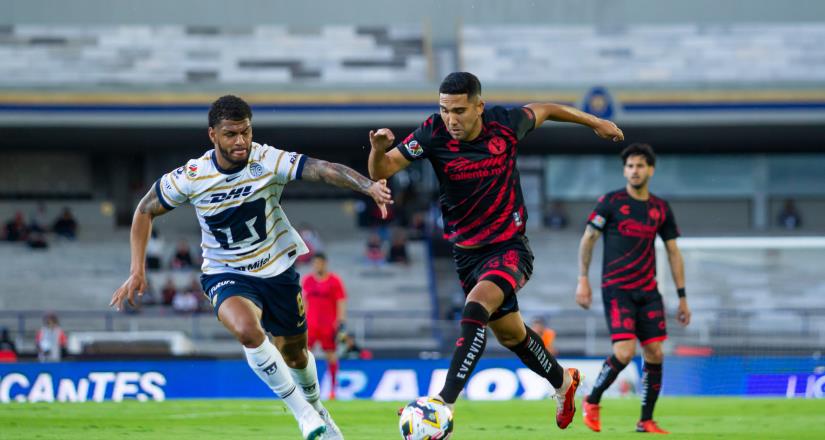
point(630, 219)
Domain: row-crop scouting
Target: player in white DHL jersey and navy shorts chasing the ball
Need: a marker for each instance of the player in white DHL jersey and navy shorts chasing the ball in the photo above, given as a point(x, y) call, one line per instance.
point(249, 248)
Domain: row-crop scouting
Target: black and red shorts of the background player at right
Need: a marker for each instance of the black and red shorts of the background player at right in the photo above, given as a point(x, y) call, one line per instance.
point(634, 314)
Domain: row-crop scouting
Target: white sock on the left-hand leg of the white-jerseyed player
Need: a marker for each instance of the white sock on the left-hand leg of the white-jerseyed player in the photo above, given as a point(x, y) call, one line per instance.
point(266, 361)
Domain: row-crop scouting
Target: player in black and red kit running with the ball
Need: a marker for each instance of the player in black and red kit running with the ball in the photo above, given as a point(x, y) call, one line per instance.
point(473, 151)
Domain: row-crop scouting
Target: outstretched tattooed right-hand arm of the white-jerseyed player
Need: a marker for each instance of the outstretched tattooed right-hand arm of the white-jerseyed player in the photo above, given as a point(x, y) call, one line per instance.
point(342, 176)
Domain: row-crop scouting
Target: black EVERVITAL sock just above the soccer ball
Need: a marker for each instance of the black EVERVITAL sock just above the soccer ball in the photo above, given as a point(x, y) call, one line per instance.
point(469, 348)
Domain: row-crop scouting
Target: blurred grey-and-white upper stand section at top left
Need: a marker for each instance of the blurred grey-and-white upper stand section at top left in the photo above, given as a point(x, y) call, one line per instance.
point(202, 55)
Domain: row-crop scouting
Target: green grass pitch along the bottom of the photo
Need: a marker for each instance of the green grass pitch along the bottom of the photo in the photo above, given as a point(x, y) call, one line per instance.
point(687, 418)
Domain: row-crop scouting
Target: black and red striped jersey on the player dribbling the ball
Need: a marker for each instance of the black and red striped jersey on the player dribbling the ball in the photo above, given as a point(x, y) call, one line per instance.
point(481, 200)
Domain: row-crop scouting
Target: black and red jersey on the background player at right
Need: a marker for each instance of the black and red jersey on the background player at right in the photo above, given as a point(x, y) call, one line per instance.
point(630, 227)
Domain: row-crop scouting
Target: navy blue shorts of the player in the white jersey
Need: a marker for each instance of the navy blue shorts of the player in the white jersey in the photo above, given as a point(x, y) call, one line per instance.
point(278, 297)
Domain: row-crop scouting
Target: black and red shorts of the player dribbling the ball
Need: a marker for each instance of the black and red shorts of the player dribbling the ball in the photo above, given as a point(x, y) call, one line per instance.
point(508, 265)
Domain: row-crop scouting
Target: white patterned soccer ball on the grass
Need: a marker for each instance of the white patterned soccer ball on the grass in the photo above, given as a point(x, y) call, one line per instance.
point(426, 418)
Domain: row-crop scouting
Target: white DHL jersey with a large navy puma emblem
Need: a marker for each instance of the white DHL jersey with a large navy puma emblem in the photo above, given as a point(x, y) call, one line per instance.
point(243, 227)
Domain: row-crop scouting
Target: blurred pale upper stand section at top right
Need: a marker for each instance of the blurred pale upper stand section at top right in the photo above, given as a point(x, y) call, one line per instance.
point(645, 54)
